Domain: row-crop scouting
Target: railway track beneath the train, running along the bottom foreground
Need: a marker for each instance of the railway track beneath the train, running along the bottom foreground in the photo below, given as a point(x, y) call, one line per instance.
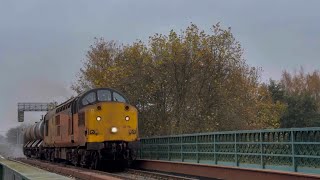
point(84, 174)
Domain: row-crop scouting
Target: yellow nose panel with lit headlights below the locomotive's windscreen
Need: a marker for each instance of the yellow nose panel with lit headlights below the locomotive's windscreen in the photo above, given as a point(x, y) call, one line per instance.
point(111, 121)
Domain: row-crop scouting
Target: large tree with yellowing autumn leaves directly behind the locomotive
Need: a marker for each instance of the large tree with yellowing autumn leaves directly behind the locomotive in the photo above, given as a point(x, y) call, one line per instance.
point(184, 82)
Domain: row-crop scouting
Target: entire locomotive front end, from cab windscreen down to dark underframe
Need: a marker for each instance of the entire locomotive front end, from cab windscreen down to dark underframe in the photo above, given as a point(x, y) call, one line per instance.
point(109, 124)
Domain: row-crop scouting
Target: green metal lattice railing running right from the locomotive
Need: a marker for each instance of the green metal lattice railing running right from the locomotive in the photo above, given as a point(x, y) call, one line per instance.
point(295, 150)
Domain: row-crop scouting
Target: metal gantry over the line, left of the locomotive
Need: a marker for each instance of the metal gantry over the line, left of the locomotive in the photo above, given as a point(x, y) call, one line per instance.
point(22, 107)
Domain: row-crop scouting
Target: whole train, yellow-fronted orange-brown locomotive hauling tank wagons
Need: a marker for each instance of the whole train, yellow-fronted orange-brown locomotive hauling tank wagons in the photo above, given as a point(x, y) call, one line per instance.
point(91, 129)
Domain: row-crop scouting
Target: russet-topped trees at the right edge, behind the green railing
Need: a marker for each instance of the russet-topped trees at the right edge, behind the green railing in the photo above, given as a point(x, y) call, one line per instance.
point(300, 91)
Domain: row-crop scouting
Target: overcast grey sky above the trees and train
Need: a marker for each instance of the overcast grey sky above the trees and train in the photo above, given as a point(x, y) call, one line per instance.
point(43, 43)
